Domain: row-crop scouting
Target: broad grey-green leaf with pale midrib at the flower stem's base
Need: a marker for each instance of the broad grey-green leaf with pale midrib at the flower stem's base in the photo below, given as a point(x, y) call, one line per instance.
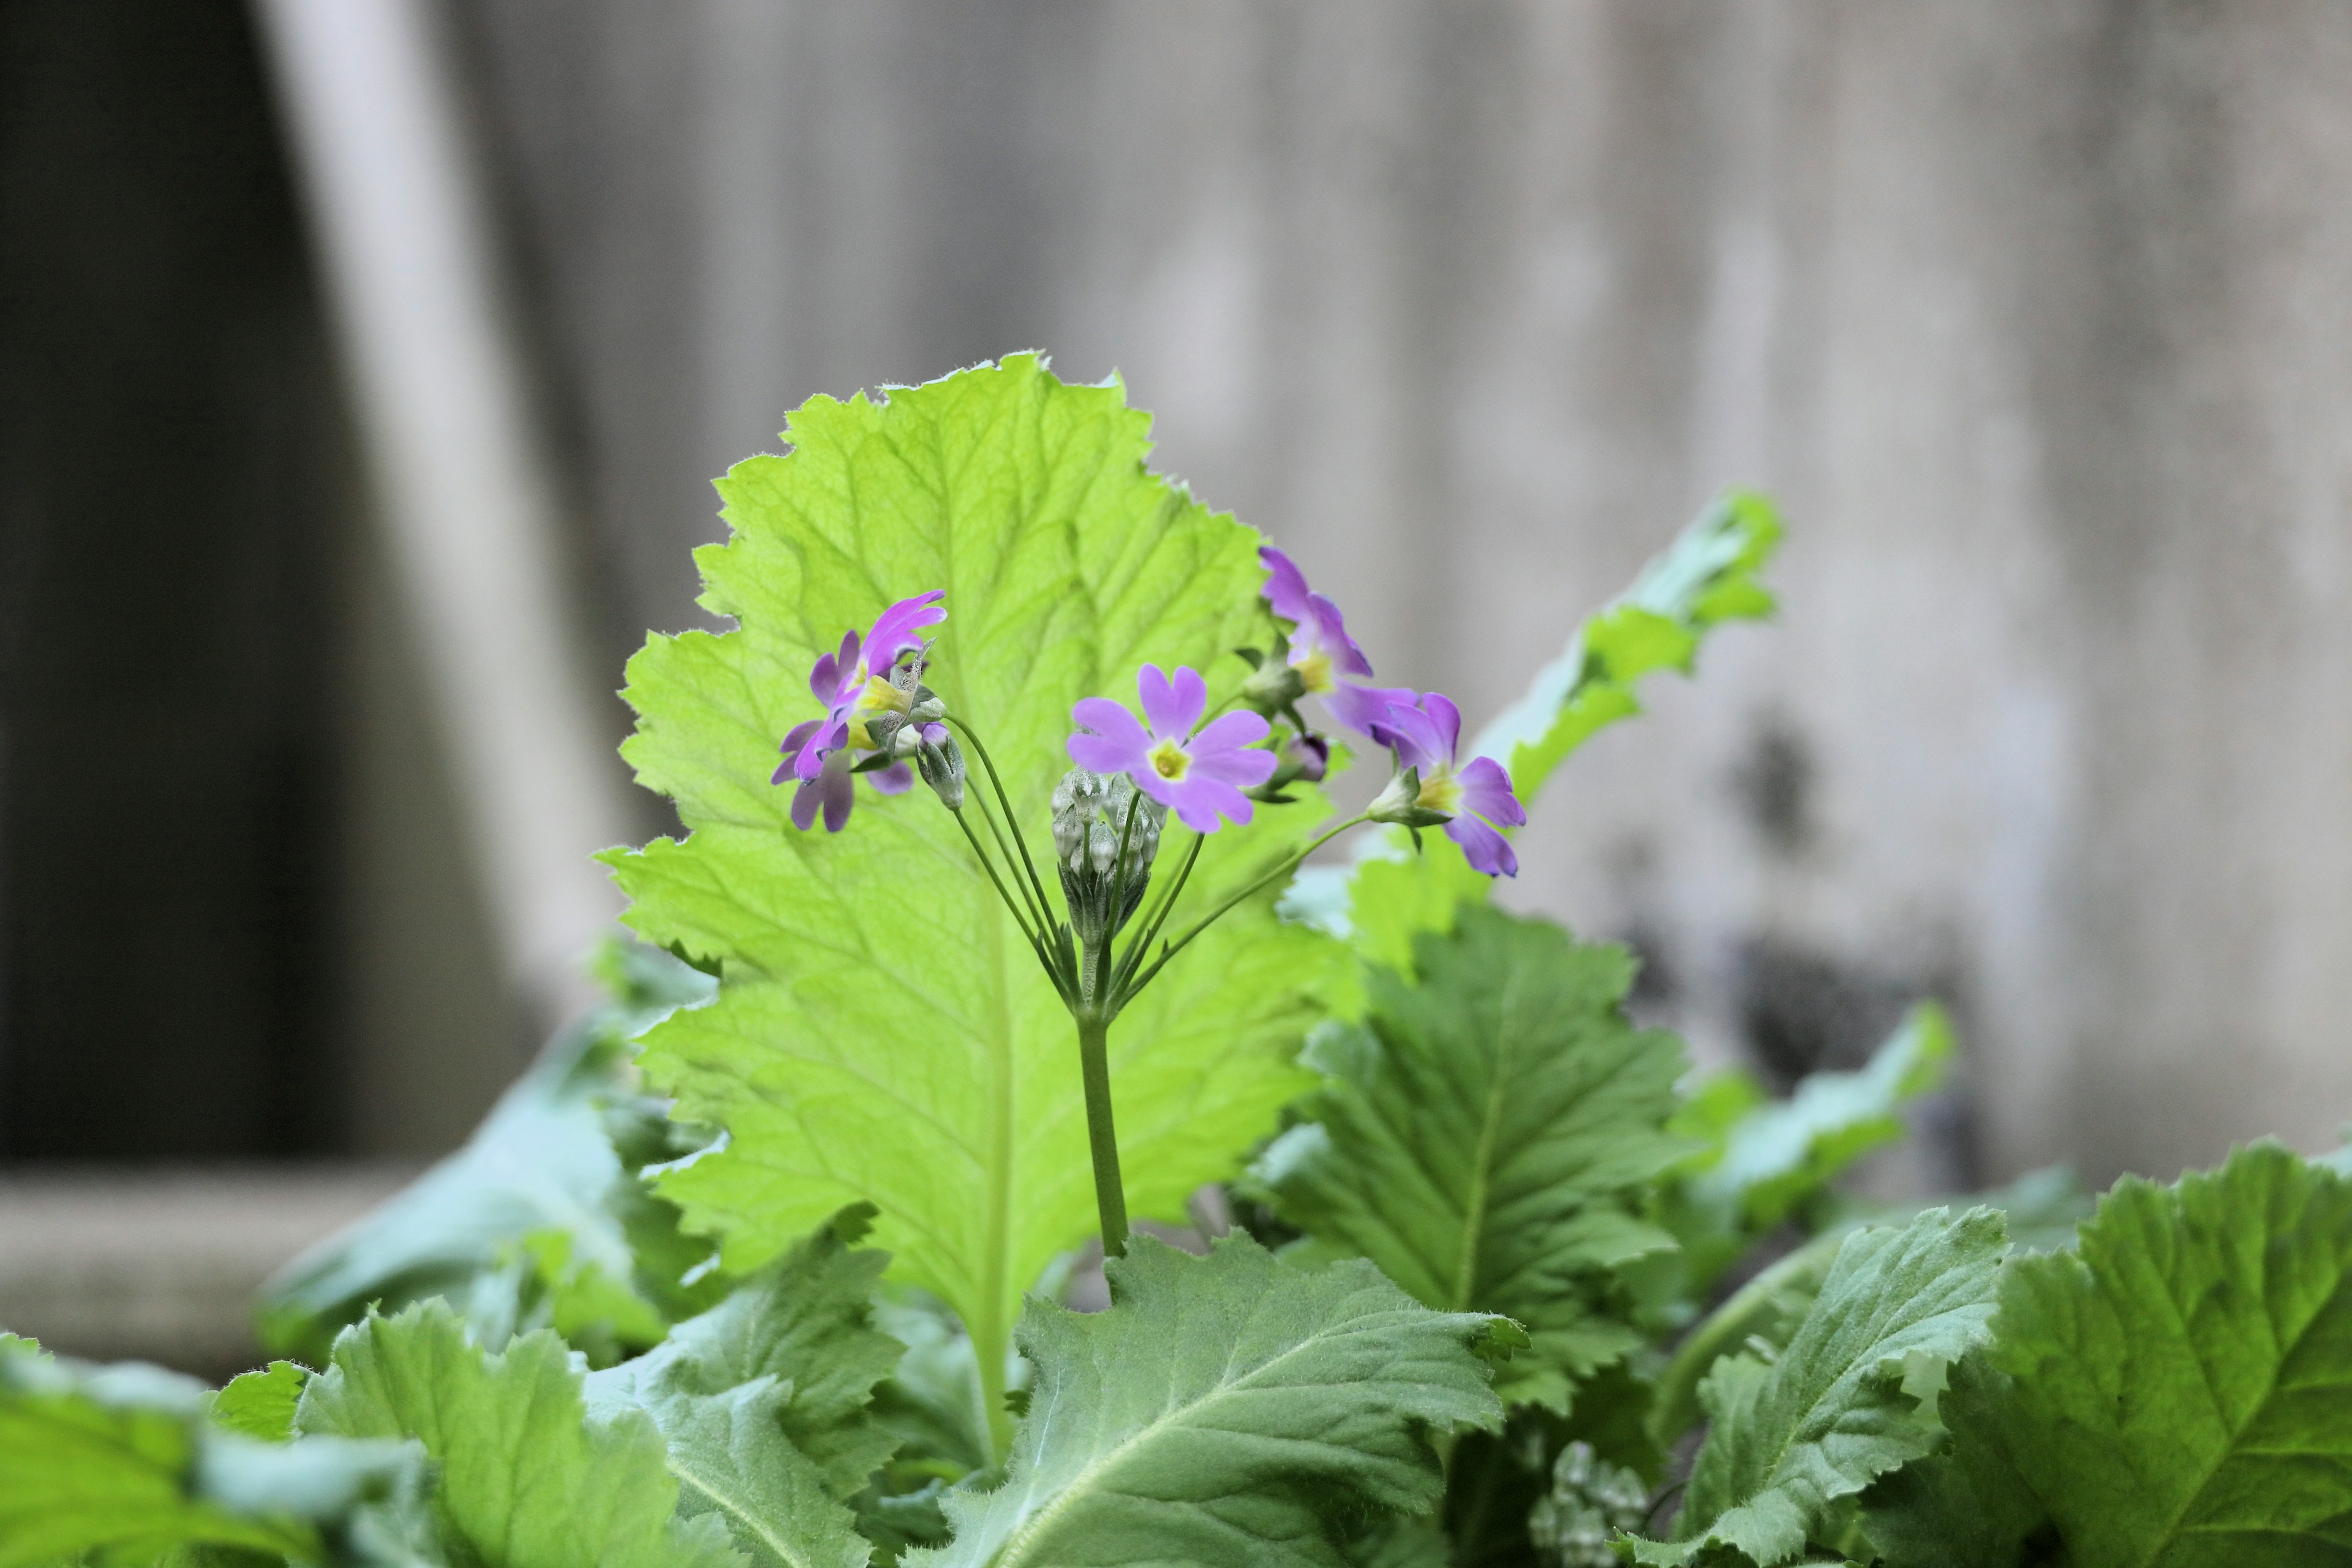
point(1227, 1409)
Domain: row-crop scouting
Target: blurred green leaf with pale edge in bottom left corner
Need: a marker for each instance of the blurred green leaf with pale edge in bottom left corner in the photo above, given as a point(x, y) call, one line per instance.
point(121, 1463)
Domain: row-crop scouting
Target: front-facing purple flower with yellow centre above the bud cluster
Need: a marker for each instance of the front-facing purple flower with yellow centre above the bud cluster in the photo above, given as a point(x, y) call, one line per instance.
point(1198, 777)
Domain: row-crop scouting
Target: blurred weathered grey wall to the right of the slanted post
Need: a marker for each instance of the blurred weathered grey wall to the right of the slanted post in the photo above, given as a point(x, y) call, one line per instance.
point(2031, 311)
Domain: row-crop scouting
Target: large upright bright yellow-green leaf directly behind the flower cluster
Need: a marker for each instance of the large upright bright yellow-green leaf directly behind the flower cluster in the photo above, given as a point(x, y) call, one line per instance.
point(883, 1033)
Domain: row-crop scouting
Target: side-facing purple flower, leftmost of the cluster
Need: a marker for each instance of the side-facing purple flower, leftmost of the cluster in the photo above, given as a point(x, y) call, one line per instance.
point(857, 685)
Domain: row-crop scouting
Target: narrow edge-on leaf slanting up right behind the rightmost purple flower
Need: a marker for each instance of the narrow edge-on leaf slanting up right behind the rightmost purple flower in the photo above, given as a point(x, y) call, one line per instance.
point(1706, 577)
